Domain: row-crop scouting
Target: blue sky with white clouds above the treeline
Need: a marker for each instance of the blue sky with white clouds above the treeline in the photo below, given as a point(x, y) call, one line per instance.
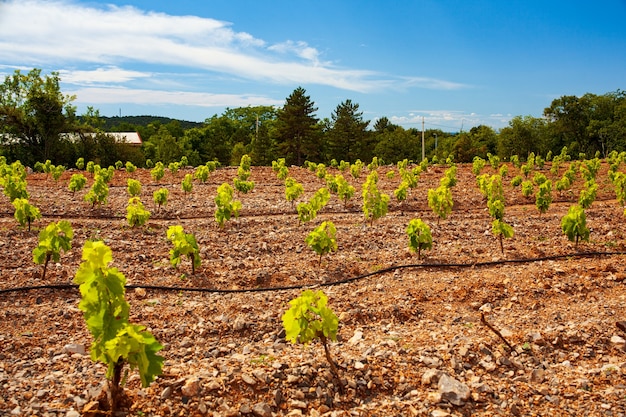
point(456, 64)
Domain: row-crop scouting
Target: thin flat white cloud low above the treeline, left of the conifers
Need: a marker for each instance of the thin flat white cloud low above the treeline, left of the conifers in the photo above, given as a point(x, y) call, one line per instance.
point(102, 95)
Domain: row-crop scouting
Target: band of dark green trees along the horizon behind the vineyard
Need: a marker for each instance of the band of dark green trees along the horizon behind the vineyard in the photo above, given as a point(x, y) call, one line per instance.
point(33, 113)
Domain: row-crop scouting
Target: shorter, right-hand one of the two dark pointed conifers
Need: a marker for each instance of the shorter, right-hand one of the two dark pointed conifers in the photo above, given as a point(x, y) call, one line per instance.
point(347, 135)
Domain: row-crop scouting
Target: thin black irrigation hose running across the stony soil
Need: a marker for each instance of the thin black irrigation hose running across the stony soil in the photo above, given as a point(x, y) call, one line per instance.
point(328, 284)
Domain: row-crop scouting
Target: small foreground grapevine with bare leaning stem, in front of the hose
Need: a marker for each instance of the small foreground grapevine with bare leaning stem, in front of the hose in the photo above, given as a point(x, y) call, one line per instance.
point(310, 318)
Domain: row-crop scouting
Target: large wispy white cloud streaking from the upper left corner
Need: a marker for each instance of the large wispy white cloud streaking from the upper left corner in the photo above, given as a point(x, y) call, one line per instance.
point(61, 32)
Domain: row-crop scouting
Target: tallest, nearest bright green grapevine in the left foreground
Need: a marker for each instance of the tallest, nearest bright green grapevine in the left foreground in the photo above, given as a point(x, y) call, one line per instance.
point(115, 340)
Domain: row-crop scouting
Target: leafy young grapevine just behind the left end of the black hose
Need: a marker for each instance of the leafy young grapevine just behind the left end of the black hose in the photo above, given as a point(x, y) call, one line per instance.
point(54, 238)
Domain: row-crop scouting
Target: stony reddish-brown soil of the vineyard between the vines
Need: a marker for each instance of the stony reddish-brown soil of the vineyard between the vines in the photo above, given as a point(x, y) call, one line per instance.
point(411, 340)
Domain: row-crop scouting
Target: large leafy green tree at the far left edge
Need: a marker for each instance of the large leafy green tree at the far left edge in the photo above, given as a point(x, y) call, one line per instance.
point(33, 114)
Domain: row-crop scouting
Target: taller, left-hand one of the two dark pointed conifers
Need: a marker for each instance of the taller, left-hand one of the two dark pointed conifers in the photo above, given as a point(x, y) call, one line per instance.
point(297, 132)
